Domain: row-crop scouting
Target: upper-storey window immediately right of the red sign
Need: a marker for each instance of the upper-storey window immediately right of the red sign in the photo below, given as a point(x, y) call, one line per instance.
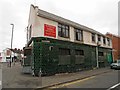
point(63, 30)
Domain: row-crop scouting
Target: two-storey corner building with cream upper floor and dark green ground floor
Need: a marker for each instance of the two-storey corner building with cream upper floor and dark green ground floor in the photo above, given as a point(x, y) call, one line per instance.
point(55, 45)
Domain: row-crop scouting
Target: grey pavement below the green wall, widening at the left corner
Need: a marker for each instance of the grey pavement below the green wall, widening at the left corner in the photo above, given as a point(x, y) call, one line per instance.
point(14, 78)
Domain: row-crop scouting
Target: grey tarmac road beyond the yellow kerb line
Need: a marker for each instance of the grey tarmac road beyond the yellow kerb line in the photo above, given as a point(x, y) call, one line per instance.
point(106, 81)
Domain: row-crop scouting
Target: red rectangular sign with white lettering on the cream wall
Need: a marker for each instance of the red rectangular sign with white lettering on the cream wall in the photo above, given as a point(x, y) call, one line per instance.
point(49, 30)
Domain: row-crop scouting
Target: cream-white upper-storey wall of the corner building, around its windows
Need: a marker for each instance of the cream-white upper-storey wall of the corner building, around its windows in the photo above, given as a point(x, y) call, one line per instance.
point(37, 21)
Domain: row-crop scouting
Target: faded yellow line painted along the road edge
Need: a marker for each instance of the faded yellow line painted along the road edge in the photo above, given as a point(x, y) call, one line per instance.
point(69, 83)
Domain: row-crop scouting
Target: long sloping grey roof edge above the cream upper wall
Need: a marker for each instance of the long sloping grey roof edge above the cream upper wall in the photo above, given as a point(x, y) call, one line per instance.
point(59, 19)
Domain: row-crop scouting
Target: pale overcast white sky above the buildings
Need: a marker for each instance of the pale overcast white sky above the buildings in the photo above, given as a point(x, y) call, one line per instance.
point(100, 15)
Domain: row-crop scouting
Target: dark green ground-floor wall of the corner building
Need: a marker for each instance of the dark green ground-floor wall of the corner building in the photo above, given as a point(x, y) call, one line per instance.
point(46, 56)
